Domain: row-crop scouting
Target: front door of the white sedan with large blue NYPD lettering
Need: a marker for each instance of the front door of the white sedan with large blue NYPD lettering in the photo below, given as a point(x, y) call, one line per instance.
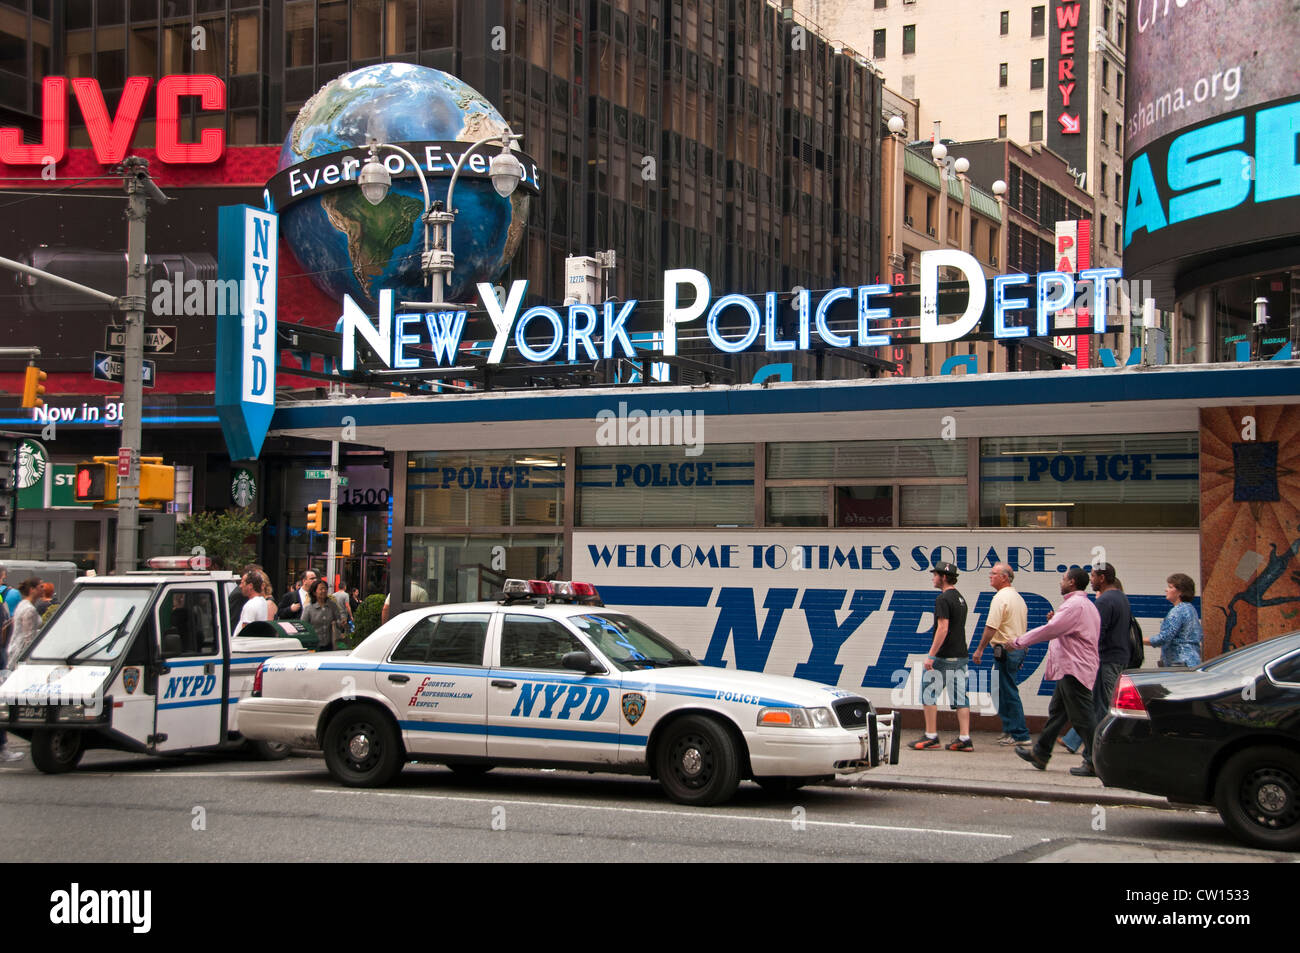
point(540, 711)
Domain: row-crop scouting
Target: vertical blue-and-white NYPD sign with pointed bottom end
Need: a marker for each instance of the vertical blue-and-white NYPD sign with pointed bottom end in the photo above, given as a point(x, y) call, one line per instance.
point(246, 343)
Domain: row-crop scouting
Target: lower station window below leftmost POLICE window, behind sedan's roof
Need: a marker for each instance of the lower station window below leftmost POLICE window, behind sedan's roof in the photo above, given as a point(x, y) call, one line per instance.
point(473, 569)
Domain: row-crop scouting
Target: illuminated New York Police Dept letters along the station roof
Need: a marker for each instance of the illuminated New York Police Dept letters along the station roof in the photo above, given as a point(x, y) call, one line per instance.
point(588, 332)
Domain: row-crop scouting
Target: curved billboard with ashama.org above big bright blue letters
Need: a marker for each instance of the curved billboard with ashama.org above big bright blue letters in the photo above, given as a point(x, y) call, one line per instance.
point(1212, 123)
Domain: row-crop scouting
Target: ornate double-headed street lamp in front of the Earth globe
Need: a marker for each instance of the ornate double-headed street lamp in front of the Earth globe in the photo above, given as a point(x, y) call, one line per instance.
point(439, 262)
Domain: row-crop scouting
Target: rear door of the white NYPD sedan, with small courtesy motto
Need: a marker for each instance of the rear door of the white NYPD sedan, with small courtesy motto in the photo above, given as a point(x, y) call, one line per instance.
point(437, 681)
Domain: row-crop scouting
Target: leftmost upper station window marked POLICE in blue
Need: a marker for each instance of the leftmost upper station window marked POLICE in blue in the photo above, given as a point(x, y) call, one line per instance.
point(489, 488)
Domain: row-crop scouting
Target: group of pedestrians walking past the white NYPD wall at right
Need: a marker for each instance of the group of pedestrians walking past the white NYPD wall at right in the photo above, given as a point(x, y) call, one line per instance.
point(1090, 642)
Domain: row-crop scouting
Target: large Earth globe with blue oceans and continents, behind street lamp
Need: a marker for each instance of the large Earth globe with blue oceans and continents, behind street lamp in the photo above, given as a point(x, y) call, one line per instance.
point(353, 248)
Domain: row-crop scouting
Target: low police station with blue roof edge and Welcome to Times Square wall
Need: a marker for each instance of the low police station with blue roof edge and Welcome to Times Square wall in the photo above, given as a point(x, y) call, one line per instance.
point(791, 527)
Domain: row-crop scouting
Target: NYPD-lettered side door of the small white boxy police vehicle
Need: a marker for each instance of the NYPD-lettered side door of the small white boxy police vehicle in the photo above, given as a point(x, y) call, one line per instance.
point(192, 703)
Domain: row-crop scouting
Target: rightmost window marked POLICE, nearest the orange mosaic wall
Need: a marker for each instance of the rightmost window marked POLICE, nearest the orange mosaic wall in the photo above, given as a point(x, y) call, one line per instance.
point(1132, 482)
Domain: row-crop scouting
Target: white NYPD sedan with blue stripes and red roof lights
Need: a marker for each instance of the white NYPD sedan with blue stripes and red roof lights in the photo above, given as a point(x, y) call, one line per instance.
point(549, 678)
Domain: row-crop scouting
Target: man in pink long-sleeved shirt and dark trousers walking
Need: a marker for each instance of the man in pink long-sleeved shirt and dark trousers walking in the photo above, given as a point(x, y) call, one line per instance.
point(1073, 664)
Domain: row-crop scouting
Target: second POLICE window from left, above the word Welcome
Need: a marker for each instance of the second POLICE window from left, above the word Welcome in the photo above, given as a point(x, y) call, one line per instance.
point(666, 486)
